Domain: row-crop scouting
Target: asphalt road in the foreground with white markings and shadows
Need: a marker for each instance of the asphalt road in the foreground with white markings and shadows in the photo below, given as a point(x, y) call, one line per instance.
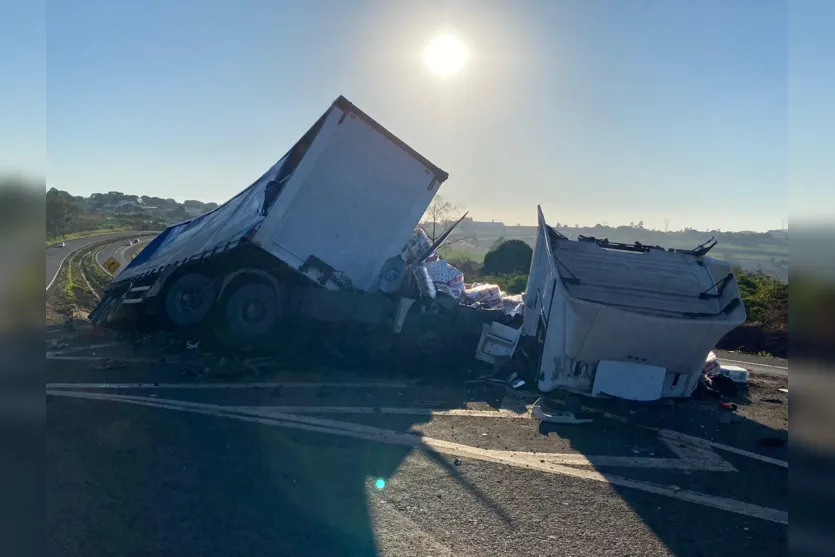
point(182, 454)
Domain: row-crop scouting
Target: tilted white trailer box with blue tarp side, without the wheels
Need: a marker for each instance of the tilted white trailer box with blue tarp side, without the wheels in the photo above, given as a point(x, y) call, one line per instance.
point(346, 197)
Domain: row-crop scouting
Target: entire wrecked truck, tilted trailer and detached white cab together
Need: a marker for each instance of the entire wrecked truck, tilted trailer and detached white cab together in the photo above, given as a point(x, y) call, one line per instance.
point(324, 247)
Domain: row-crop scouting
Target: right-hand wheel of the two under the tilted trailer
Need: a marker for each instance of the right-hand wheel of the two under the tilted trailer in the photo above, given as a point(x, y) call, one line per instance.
point(252, 310)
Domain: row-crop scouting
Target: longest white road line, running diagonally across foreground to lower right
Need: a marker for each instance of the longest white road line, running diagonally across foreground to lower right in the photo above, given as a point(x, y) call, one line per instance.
point(520, 460)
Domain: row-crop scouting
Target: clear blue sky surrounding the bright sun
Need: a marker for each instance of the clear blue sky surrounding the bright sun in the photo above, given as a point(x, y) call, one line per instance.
point(601, 111)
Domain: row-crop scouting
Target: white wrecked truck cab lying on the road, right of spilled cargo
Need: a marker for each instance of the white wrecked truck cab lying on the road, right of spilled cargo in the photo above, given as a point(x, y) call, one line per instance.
point(624, 320)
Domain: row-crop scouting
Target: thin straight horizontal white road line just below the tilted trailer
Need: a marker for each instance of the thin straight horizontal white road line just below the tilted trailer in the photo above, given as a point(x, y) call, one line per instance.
point(252, 385)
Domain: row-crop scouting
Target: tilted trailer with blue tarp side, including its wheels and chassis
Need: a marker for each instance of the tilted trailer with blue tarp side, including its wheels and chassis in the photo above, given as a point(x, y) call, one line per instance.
point(317, 237)
